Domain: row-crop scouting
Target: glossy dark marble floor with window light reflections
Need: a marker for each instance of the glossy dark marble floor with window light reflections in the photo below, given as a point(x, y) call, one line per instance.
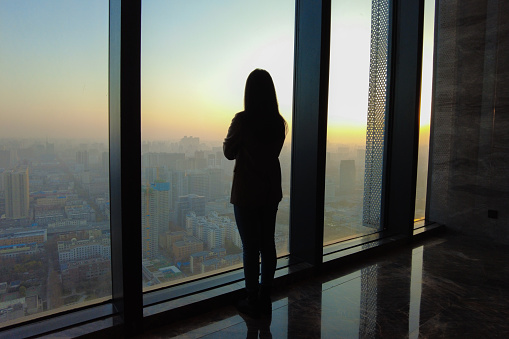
point(446, 287)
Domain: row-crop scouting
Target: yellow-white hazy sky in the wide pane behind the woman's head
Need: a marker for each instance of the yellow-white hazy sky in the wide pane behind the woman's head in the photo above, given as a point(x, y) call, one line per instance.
point(196, 56)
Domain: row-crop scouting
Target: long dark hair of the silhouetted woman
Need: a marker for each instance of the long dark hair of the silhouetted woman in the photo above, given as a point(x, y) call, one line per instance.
point(260, 102)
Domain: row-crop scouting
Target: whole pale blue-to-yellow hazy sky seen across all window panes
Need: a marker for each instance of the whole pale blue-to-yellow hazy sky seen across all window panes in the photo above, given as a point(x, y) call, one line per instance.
point(196, 56)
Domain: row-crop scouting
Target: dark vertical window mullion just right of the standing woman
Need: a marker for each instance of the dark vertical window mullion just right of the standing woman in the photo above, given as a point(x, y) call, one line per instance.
point(311, 77)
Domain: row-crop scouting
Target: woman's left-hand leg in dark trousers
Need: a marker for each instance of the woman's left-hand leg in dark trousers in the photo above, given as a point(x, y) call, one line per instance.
point(247, 223)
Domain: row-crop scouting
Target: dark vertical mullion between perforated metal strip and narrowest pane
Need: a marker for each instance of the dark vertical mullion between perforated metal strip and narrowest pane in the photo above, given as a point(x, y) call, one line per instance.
point(402, 126)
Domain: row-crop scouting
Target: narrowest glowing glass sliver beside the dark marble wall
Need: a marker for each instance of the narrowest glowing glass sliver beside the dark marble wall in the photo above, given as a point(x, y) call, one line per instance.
point(427, 77)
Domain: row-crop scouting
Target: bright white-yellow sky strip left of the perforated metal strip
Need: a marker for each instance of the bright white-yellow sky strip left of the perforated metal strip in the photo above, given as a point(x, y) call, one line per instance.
point(349, 71)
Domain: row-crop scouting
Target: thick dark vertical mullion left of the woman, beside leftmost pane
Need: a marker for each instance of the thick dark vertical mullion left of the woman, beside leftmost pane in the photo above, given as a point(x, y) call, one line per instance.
point(125, 160)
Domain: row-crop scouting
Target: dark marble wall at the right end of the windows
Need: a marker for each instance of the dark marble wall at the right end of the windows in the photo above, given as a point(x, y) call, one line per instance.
point(469, 144)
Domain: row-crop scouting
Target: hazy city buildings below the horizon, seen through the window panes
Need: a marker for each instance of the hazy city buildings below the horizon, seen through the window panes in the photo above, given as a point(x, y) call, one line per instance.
point(69, 199)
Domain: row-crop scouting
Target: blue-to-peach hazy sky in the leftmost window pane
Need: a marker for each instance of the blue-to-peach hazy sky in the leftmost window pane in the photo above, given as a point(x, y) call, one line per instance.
point(54, 68)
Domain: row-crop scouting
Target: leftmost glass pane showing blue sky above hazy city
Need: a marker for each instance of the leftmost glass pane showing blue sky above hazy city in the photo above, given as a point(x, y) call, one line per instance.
point(54, 191)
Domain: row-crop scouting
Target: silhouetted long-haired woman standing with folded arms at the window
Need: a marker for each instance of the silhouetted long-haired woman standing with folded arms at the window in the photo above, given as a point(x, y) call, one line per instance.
point(255, 138)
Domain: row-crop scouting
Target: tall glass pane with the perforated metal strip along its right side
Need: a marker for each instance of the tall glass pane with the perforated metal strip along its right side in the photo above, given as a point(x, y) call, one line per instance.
point(355, 133)
